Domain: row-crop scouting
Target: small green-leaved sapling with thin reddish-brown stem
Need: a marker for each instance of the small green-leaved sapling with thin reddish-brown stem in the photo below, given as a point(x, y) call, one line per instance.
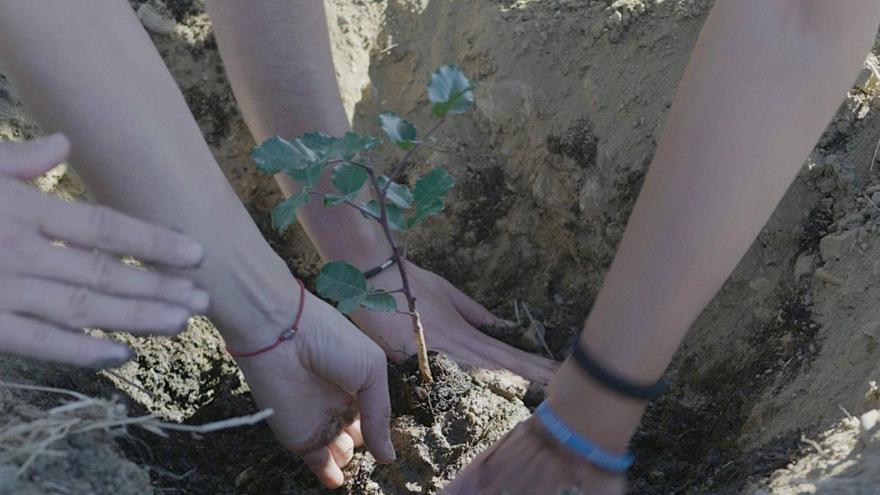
point(392, 204)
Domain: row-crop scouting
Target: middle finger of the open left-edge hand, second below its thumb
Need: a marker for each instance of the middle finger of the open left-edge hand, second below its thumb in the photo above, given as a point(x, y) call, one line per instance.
point(108, 275)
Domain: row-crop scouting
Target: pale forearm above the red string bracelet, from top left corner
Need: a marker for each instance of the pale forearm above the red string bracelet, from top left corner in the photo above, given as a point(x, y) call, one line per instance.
point(91, 71)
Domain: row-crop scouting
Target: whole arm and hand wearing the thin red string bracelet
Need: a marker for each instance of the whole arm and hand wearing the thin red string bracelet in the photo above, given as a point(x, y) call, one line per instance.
point(90, 69)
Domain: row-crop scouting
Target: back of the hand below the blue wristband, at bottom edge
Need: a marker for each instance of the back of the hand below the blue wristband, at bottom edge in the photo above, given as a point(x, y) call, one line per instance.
point(527, 461)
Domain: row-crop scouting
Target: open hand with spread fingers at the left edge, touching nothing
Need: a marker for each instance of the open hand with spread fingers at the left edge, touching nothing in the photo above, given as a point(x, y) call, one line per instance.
point(50, 292)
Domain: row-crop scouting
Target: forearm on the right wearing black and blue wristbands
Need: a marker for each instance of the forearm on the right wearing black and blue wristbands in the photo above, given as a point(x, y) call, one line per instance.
point(763, 82)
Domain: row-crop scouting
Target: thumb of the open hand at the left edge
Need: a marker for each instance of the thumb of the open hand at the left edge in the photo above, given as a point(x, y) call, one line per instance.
point(31, 158)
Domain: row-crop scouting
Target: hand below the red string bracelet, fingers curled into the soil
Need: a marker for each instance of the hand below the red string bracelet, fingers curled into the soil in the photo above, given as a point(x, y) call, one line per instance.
point(329, 389)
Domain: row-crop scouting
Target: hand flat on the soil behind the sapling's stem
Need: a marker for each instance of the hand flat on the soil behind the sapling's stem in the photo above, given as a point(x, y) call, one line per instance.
point(451, 319)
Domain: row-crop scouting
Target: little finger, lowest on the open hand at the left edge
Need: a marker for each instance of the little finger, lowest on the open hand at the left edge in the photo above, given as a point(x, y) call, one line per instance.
point(29, 338)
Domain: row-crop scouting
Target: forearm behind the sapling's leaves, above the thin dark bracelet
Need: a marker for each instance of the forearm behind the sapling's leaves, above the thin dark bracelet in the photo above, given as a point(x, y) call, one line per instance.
point(278, 60)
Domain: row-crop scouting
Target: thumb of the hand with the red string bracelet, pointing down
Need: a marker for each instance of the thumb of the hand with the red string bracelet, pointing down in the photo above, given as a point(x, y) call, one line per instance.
point(375, 407)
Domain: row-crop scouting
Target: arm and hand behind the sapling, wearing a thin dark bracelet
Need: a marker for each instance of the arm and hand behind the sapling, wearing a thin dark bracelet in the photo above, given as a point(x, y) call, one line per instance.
point(278, 60)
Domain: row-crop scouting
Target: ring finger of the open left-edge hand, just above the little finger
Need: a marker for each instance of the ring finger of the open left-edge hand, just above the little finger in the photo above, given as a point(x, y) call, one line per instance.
point(80, 307)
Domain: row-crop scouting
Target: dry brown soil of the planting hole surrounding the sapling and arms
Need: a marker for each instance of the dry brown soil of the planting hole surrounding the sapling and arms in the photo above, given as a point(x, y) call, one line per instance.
point(572, 96)
